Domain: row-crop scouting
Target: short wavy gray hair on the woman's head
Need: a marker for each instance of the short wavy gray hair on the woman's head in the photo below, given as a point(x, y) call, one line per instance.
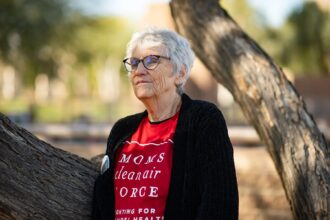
point(177, 48)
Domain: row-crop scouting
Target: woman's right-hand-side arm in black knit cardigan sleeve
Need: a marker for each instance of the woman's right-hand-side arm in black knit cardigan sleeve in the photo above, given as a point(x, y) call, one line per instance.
point(219, 193)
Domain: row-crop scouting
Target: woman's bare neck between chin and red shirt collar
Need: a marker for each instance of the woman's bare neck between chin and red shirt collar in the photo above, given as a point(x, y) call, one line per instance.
point(162, 107)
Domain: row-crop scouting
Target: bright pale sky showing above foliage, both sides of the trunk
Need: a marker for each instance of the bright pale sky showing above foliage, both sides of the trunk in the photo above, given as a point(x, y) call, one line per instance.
point(275, 12)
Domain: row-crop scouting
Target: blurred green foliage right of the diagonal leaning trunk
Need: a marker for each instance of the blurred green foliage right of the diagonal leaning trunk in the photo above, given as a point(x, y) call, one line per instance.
point(301, 44)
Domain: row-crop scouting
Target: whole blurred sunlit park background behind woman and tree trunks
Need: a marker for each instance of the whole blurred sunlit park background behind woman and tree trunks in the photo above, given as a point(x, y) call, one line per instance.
point(62, 78)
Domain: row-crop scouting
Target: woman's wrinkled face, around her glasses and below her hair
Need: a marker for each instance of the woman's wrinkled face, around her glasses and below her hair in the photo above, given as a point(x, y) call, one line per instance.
point(156, 82)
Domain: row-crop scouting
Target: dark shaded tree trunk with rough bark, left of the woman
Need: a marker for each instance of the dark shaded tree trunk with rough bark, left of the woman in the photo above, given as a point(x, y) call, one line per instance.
point(39, 181)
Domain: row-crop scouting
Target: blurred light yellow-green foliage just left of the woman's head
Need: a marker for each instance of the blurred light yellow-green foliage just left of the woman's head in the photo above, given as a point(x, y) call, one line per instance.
point(96, 41)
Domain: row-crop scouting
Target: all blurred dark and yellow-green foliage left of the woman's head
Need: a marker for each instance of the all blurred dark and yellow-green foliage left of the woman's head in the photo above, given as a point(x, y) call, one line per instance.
point(41, 36)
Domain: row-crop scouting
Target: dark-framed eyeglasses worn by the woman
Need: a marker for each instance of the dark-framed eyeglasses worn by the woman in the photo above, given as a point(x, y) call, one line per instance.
point(149, 62)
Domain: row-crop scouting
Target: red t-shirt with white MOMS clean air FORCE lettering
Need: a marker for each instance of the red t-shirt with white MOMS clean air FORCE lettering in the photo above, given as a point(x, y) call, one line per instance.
point(143, 171)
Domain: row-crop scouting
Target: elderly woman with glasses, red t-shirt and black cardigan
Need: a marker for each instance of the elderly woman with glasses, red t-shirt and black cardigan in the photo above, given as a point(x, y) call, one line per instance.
point(175, 159)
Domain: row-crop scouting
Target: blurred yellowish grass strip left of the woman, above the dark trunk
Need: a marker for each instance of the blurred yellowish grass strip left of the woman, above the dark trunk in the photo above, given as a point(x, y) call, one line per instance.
point(87, 110)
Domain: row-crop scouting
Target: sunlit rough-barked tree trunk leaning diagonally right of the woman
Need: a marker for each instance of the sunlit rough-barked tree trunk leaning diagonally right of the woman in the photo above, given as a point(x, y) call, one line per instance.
point(269, 102)
